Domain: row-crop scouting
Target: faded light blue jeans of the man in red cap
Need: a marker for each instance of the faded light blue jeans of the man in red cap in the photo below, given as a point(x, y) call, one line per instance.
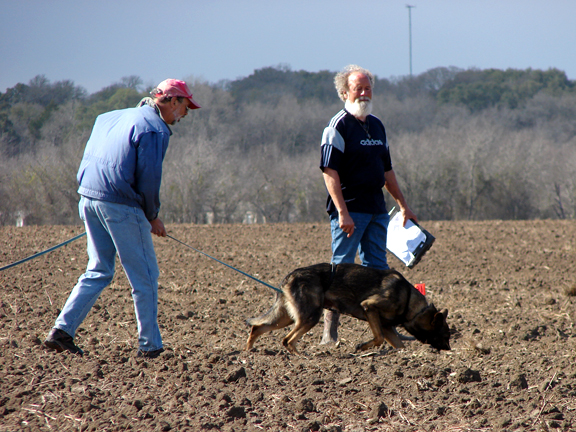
point(116, 228)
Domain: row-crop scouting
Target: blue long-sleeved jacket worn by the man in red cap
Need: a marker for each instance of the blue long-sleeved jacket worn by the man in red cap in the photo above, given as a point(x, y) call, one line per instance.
point(122, 161)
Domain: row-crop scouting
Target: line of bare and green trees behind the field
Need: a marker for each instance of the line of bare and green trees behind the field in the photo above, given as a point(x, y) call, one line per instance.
point(466, 144)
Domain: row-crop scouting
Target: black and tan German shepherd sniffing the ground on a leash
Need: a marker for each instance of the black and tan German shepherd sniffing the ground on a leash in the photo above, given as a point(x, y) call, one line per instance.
point(384, 298)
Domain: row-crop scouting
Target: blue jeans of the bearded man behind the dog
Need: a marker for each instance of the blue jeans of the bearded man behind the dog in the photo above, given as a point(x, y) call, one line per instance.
point(369, 239)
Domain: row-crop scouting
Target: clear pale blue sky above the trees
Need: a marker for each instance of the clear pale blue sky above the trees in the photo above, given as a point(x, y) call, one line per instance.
point(96, 43)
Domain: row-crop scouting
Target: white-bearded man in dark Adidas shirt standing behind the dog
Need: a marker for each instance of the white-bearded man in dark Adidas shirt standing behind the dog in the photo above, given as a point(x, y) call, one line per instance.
point(356, 165)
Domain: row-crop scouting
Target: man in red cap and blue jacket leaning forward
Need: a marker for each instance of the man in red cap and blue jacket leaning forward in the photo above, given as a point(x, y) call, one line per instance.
point(119, 186)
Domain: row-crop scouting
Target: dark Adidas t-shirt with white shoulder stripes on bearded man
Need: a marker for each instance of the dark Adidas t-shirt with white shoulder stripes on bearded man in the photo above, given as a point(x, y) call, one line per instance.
point(360, 154)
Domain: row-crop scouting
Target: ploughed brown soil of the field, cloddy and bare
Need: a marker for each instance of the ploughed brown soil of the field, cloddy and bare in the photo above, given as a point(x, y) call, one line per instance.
point(510, 288)
